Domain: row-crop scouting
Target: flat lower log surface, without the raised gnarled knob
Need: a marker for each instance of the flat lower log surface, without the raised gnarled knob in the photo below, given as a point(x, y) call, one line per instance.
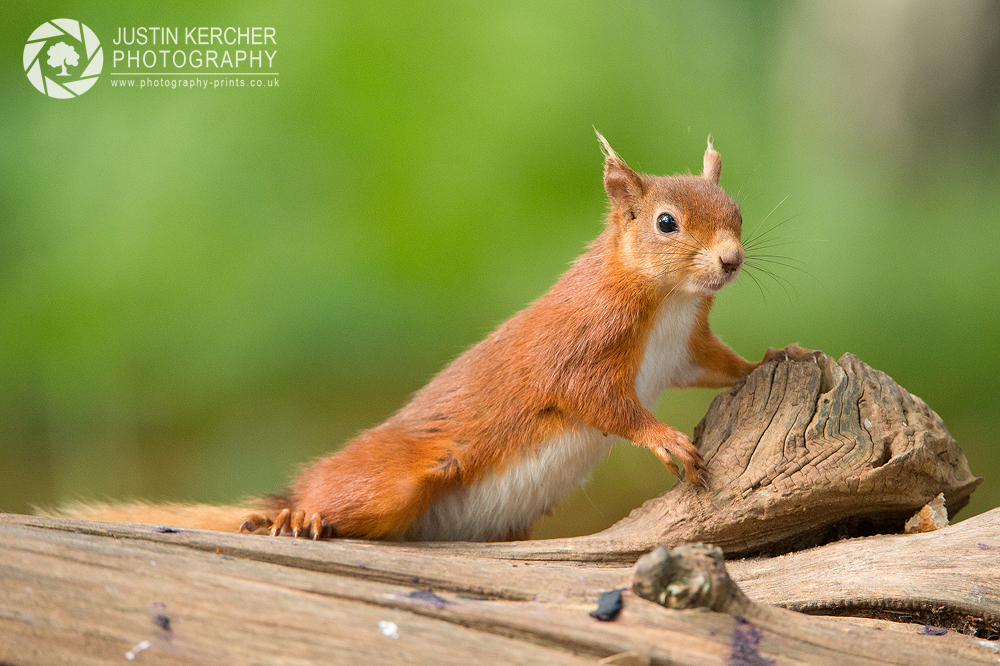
point(75, 592)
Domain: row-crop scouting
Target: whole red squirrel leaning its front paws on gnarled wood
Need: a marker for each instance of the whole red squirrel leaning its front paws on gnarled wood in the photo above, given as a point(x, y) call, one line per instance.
point(507, 429)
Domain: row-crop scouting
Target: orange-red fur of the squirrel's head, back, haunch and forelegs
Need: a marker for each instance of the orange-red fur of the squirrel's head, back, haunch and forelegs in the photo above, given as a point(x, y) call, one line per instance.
point(572, 357)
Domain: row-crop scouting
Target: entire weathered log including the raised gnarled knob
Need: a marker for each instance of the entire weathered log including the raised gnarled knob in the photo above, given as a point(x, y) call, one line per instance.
point(798, 455)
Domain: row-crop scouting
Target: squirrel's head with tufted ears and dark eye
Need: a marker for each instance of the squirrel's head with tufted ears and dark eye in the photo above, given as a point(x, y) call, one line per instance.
point(681, 232)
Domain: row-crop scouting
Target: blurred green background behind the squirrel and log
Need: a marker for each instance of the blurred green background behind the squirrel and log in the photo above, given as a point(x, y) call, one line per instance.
point(202, 290)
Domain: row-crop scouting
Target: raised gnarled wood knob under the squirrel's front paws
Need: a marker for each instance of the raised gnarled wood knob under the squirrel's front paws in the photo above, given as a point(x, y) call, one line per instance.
point(836, 440)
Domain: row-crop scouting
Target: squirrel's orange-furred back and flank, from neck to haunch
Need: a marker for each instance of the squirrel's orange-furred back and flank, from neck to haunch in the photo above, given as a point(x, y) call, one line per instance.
point(498, 401)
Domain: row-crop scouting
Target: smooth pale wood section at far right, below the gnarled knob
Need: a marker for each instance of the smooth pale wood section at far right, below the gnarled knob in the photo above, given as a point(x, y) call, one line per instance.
point(949, 578)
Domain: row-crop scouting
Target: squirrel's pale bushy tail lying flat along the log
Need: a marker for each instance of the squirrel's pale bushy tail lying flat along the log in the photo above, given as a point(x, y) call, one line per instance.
point(221, 518)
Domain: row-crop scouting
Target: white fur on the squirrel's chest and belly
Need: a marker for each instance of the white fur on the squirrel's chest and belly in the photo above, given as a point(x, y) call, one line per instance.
point(510, 501)
